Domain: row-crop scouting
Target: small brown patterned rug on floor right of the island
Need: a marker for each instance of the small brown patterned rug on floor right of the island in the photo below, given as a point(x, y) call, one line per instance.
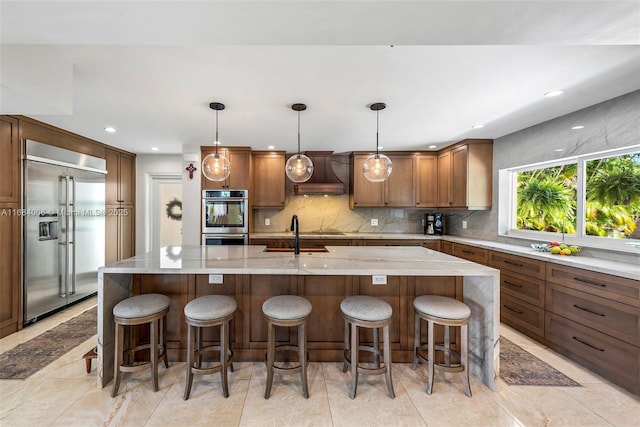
point(519, 367)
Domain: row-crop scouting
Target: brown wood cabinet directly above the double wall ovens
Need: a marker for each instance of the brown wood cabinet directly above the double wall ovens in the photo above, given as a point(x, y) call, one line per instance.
point(240, 178)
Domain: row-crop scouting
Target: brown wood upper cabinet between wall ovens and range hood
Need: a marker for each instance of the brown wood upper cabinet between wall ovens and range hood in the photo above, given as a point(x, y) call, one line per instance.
point(268, 189)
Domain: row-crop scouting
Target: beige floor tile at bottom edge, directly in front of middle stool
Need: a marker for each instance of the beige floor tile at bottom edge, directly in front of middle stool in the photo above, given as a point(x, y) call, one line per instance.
point(286, 406)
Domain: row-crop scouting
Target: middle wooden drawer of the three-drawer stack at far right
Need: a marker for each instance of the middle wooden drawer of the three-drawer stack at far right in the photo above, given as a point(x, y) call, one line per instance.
point(612, 318)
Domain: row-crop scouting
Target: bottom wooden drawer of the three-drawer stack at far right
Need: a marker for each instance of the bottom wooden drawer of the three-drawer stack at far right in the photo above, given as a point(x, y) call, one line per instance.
point(608, 356)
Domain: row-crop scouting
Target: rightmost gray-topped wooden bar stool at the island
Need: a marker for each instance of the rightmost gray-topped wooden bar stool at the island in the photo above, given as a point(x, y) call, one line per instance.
point(439, 310)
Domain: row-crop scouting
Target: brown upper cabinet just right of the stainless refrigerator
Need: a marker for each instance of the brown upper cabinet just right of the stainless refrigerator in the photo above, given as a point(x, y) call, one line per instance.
point(121, 178)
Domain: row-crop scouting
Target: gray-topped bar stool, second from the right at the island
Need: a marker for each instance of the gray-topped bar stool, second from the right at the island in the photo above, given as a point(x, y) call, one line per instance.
point(366, 312)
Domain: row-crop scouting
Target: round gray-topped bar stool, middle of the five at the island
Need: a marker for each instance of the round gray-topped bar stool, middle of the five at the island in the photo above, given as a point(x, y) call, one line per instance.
point(287, 311)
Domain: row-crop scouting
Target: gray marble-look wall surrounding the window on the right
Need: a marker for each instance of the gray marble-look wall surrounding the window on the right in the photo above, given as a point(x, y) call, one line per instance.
point(608, 125)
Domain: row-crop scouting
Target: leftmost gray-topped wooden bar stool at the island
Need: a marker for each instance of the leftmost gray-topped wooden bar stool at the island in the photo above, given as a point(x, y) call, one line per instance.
point(140, 310)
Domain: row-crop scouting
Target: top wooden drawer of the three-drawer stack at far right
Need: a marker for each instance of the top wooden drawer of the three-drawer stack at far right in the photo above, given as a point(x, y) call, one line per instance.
point(616, 288)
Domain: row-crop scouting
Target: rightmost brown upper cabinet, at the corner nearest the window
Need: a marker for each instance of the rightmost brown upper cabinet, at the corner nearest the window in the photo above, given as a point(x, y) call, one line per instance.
point(464, 175)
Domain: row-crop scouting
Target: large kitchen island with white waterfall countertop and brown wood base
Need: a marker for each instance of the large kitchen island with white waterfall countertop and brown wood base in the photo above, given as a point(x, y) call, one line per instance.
point(251, 274)
